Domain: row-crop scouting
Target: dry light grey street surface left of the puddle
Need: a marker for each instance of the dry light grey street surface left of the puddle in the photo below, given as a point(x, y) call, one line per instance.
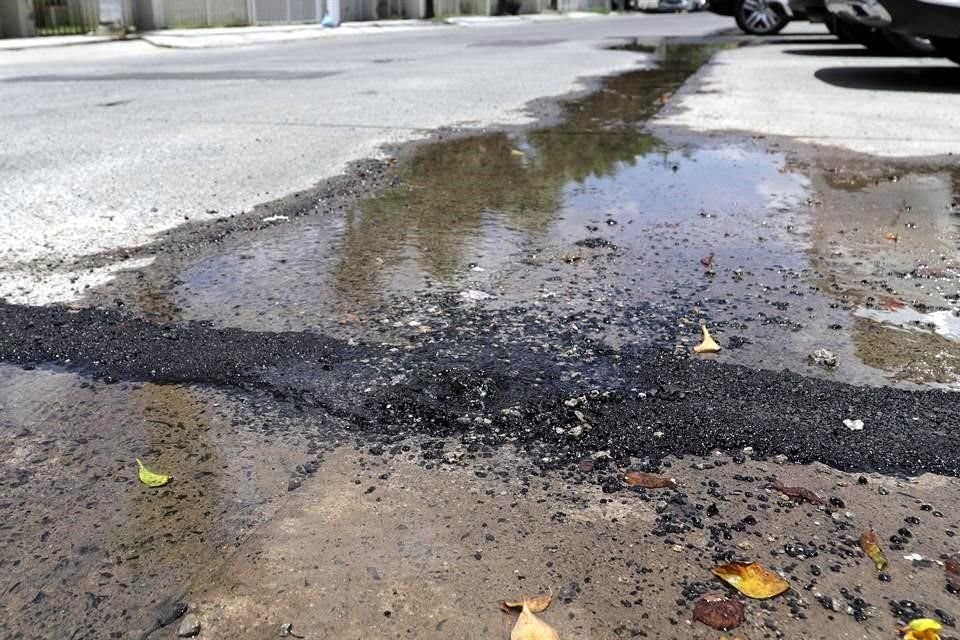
point(109, 144)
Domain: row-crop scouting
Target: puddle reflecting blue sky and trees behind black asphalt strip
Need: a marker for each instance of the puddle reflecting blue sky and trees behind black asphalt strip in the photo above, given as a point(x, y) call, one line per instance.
point(501, 212)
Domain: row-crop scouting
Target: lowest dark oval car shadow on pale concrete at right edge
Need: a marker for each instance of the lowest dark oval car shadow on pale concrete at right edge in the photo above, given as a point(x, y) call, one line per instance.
point(923, 79)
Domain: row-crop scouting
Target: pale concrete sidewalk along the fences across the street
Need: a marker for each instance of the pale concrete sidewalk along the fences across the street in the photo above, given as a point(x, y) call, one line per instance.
point(242, 36)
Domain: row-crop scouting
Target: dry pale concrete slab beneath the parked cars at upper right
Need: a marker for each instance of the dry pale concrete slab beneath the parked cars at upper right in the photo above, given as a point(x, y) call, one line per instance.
point(829, 94)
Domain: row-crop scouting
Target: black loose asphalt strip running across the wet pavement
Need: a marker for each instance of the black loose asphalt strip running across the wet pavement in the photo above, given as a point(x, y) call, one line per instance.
point(642, 405)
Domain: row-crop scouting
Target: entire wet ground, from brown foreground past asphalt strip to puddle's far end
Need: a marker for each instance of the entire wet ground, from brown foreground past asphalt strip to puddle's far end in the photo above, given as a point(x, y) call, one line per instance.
point(538, 287)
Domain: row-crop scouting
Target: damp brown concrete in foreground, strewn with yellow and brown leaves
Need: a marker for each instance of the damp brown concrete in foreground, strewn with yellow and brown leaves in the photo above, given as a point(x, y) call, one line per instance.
point(387, 551)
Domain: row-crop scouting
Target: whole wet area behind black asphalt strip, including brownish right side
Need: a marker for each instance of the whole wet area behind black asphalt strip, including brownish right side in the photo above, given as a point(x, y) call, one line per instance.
point(596, 226)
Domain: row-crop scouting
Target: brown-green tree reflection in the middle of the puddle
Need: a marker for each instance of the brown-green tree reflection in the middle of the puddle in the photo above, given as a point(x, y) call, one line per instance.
point(471, 200)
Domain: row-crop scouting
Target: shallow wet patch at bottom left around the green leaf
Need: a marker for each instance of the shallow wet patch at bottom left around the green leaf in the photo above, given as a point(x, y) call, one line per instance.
point(86, 551)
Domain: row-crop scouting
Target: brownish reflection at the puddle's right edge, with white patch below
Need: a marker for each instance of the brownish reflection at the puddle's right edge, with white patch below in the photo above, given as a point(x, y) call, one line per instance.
point(884, 246)
